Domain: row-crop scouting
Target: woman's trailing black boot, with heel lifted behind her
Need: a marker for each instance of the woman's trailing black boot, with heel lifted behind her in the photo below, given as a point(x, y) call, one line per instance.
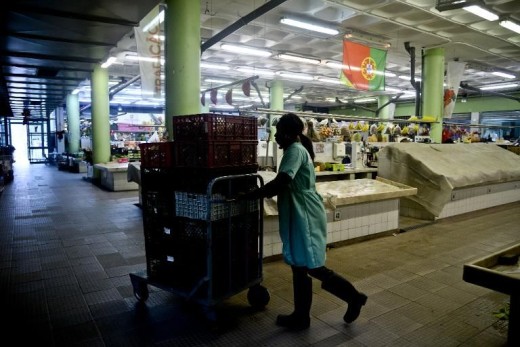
point(344, 290)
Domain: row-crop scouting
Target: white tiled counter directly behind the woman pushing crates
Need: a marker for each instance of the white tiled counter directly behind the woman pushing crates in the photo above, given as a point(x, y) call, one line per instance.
point(356, 209)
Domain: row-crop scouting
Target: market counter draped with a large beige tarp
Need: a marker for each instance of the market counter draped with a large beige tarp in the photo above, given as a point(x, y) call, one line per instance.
point(443, 173)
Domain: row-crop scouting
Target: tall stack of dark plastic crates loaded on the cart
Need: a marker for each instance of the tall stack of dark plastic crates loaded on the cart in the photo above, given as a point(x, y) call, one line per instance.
point(180, 220)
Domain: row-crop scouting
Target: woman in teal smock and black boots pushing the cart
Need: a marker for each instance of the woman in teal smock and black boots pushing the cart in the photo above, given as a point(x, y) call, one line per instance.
point(303, 226)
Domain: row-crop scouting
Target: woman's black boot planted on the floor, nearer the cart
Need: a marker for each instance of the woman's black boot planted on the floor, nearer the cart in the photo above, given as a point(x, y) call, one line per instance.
point(302, 289)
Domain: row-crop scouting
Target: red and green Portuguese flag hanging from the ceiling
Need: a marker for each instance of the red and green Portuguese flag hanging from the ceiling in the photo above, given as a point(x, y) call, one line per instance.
point(364, 67)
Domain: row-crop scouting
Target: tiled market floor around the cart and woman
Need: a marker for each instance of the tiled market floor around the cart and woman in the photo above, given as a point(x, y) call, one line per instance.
point(67, 247)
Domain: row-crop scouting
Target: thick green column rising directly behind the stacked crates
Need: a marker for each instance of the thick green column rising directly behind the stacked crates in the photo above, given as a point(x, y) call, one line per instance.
point(182, 59)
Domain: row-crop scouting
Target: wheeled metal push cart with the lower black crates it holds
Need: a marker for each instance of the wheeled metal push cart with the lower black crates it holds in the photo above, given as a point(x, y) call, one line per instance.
point(212, 248)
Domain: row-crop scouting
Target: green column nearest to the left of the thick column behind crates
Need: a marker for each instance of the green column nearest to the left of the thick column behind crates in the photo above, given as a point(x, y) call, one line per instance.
point(100, 116)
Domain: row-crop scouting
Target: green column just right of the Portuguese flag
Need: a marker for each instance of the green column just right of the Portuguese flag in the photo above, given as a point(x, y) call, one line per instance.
point(433, 90)
